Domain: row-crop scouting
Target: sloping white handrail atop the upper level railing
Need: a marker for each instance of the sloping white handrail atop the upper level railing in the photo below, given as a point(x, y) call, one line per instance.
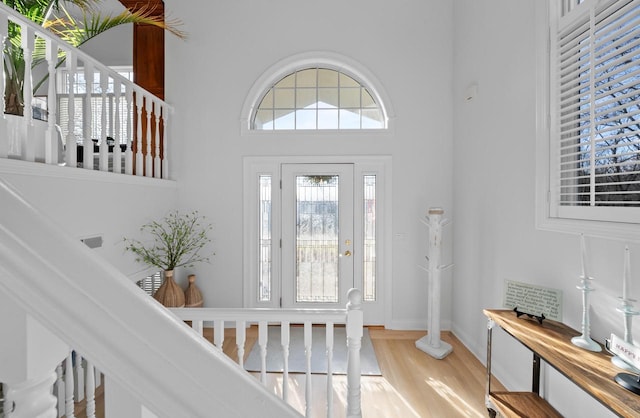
point(68, 48)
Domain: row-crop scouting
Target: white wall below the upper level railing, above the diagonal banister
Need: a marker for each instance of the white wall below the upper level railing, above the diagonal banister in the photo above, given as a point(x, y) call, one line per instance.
point(89, 204)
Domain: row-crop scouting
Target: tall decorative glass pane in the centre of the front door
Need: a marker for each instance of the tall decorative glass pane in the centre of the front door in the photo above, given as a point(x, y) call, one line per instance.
point(317, 238)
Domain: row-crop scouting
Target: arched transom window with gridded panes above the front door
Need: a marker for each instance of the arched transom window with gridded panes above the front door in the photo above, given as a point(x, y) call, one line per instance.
point(318, 98)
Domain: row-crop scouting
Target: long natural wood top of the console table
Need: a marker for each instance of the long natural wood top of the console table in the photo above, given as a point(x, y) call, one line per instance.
point(591, 371)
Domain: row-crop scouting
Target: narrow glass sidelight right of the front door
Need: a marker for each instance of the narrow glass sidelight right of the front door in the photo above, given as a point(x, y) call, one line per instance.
point(369, 217)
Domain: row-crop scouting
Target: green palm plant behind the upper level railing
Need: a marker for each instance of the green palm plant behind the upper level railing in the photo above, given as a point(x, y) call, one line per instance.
point(76, 22)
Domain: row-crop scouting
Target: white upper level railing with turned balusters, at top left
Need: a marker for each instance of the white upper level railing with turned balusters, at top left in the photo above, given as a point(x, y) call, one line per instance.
point(90, 116)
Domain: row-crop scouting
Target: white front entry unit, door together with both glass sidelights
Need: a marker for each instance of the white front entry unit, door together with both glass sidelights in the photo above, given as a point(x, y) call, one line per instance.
point(314, 228)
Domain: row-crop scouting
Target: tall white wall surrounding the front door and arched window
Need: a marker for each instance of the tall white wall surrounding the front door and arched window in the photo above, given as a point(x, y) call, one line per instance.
point(406, 45)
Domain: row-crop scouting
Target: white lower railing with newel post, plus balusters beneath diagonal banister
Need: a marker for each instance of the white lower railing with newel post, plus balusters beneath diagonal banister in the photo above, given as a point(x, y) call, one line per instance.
point(78, 381)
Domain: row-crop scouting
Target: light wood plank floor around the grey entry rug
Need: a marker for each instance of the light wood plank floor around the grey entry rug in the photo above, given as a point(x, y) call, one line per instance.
point(412, 385)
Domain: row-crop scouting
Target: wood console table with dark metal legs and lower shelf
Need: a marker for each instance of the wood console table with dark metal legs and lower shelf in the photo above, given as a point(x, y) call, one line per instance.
point(551, 342)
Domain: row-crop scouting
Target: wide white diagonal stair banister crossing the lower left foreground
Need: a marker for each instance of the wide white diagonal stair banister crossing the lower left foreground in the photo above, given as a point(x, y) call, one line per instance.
point(130, 337)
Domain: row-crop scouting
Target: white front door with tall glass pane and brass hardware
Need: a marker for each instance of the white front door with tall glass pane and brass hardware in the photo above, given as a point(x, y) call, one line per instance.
point(318, 241)
